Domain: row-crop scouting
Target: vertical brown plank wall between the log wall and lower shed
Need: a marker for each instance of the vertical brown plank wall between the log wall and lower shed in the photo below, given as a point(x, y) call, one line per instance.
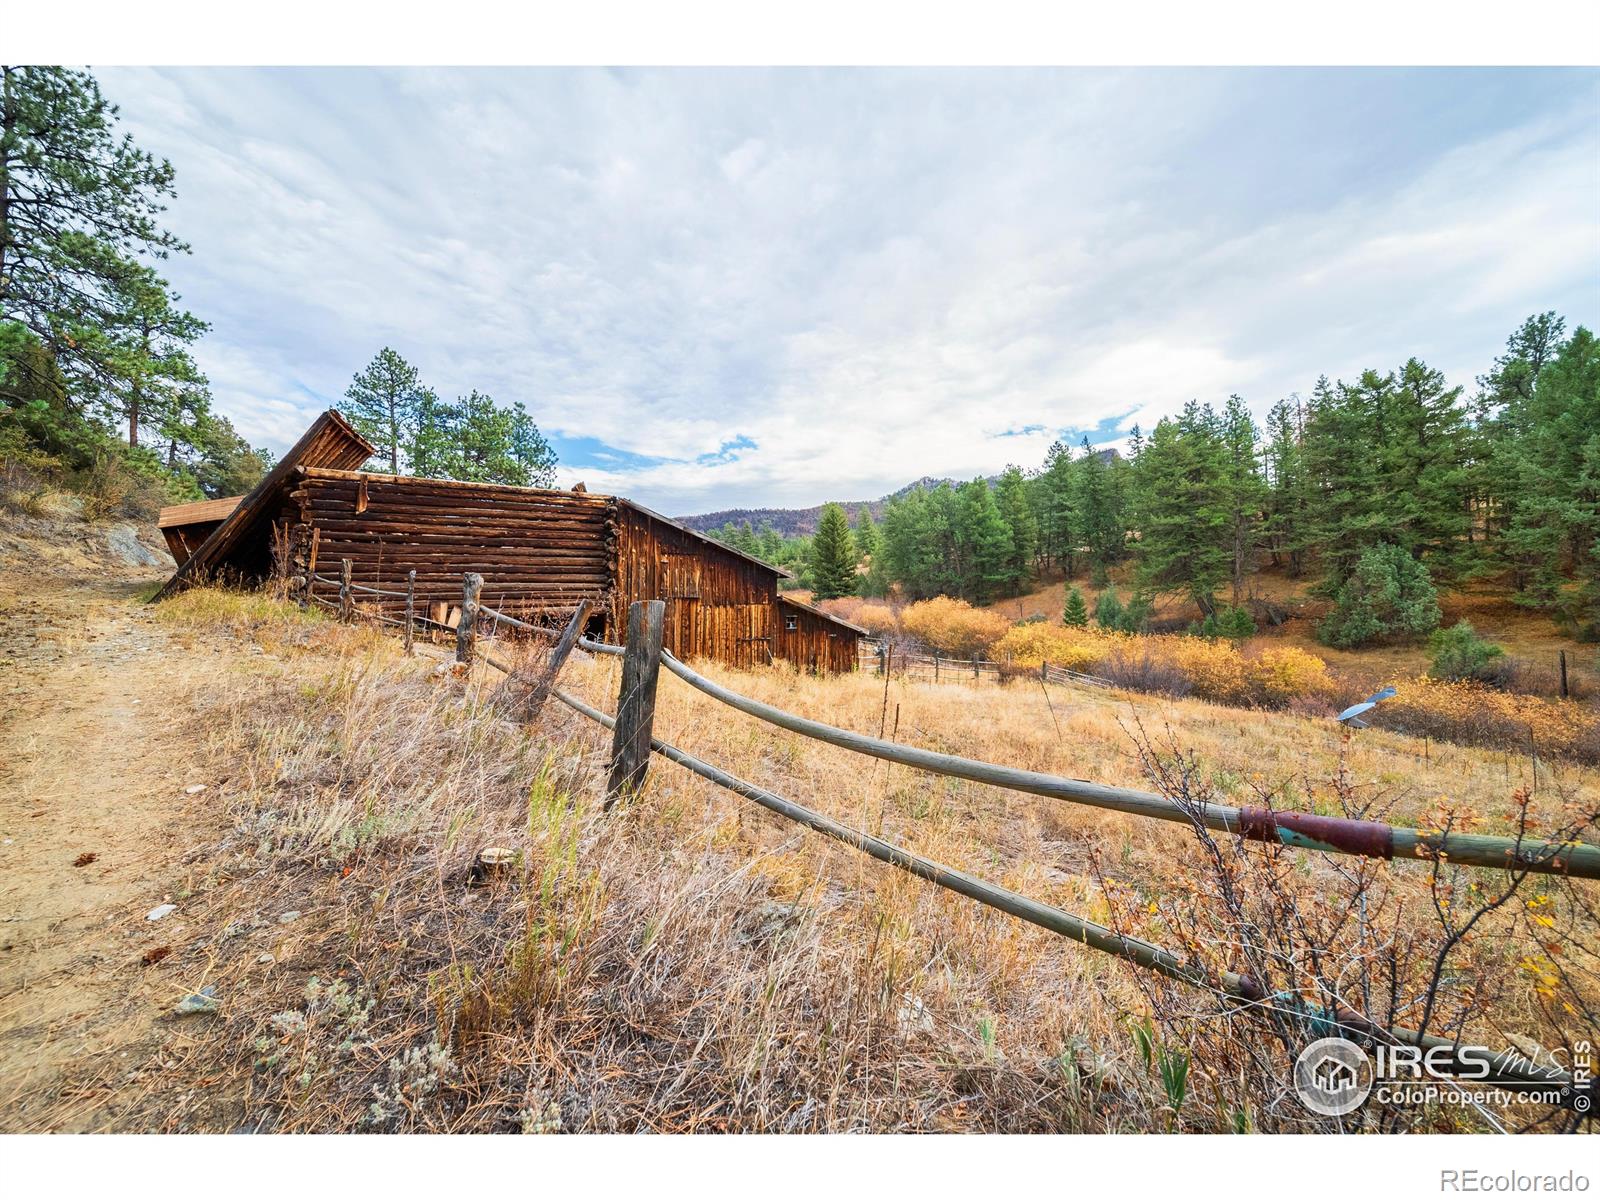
point(721, 604)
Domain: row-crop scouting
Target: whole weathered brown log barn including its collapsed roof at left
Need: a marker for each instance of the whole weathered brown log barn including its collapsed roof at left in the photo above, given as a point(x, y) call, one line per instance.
point(538, 550)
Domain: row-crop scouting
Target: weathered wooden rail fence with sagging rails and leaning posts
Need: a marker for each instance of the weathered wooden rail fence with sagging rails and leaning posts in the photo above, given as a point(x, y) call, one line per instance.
point(633, 743)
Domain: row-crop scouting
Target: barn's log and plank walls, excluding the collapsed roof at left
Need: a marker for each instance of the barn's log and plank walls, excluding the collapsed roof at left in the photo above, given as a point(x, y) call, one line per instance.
point(543, 551)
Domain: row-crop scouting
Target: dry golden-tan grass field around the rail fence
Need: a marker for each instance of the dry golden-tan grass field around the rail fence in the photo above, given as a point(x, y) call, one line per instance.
point(694, 964)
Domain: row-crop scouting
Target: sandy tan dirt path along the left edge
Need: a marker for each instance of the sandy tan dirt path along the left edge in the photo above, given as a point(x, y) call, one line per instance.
point(95, 825)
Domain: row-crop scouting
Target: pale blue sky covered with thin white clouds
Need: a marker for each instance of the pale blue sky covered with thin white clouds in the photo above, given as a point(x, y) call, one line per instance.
point(748, 287)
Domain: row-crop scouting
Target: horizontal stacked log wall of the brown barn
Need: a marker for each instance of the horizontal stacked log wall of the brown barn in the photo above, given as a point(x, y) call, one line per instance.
point(540, 553)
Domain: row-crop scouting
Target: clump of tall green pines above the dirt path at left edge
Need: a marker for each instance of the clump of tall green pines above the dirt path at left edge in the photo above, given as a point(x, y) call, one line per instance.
point(92, 338)
